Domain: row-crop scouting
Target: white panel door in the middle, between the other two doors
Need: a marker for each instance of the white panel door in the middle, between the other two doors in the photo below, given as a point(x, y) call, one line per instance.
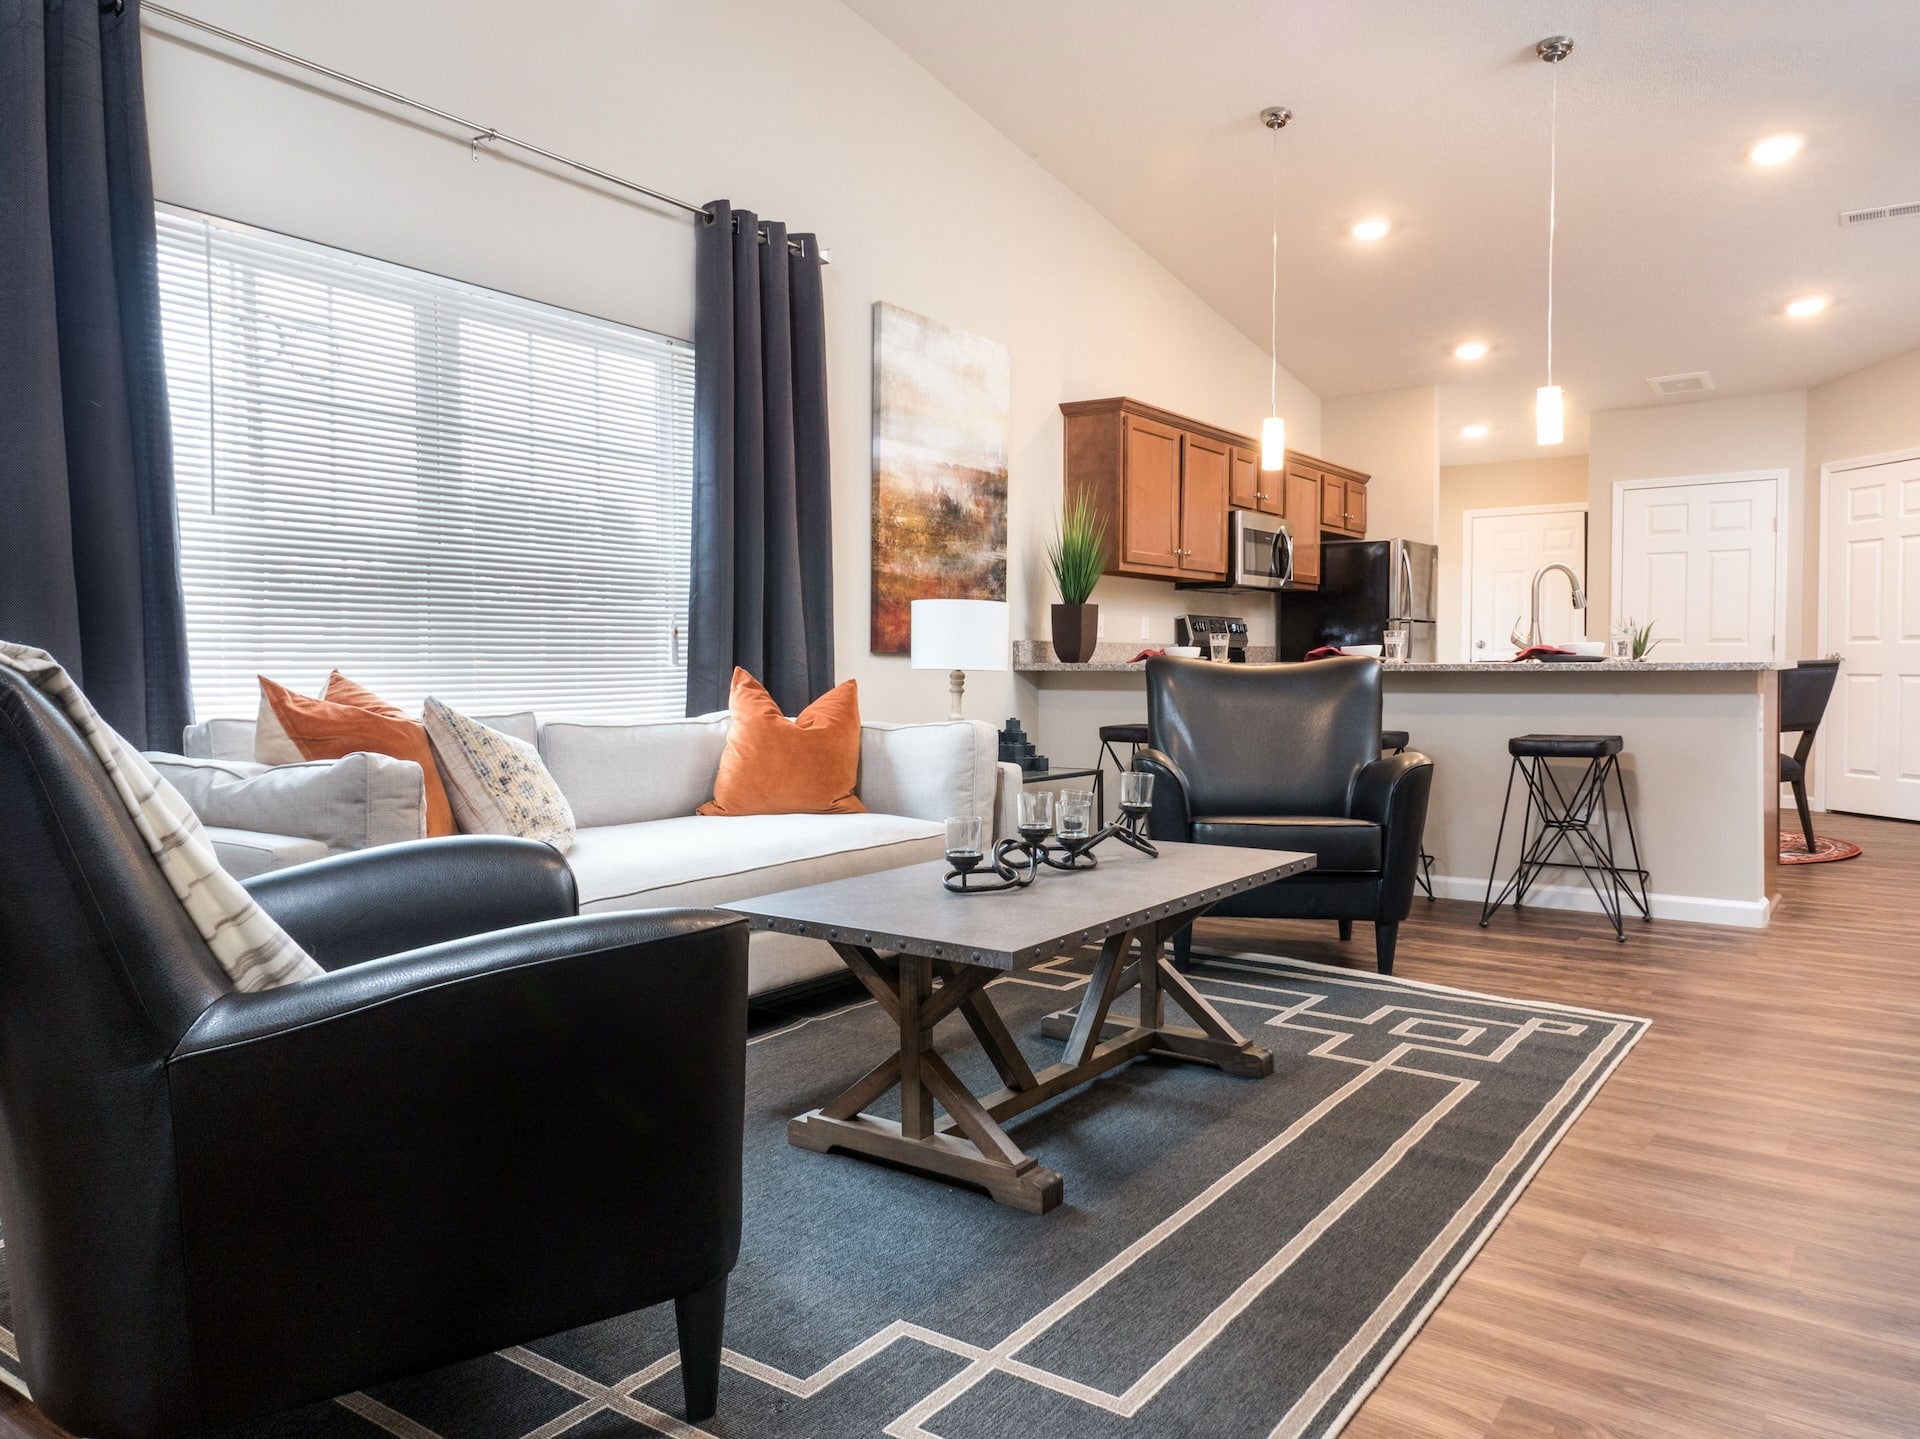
point(1700, 562)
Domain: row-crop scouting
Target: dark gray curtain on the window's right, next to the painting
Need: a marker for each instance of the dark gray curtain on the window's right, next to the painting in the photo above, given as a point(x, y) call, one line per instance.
point(763, 520)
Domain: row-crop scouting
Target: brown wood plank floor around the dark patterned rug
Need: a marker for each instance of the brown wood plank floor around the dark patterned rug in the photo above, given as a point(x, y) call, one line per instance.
point(1729, 1242)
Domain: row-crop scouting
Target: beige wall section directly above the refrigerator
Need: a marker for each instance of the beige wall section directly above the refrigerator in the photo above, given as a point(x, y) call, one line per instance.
point(1395, 437)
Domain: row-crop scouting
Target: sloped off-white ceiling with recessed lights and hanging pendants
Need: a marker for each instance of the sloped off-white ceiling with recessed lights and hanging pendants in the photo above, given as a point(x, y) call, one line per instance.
point(1675, 251)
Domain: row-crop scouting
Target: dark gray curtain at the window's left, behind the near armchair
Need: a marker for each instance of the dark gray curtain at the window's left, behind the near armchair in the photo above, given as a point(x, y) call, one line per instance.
point(89, 541)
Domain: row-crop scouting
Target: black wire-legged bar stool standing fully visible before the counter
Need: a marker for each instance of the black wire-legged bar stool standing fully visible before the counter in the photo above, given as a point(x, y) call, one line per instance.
point(1575, 816)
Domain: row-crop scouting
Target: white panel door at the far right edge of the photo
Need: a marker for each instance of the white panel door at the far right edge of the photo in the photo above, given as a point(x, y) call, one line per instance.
point(1871, 735)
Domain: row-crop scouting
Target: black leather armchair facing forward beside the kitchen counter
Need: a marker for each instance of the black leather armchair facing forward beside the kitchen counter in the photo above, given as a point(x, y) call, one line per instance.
point(1287, 758)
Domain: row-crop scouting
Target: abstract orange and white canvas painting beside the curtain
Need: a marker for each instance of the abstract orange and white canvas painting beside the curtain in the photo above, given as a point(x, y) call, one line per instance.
point(942, 424)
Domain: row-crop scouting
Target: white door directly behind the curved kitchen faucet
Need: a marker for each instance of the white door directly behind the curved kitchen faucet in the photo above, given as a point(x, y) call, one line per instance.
point(1506, 549)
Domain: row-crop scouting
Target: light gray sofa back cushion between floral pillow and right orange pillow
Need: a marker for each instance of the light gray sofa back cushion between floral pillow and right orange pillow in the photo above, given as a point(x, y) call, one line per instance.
point(631, 773)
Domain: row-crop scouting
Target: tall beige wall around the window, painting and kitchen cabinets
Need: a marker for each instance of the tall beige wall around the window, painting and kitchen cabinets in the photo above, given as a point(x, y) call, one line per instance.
point(798, 110)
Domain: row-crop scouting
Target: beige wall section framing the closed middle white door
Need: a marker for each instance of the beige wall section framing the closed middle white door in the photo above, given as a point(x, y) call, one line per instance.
point(1712, 437)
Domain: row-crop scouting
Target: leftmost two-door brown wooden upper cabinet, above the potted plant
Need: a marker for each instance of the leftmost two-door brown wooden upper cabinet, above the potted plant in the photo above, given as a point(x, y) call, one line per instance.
point(1161, 481)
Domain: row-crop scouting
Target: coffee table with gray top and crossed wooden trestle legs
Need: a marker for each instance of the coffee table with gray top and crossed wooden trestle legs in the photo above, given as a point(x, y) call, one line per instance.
point(926, 954)
